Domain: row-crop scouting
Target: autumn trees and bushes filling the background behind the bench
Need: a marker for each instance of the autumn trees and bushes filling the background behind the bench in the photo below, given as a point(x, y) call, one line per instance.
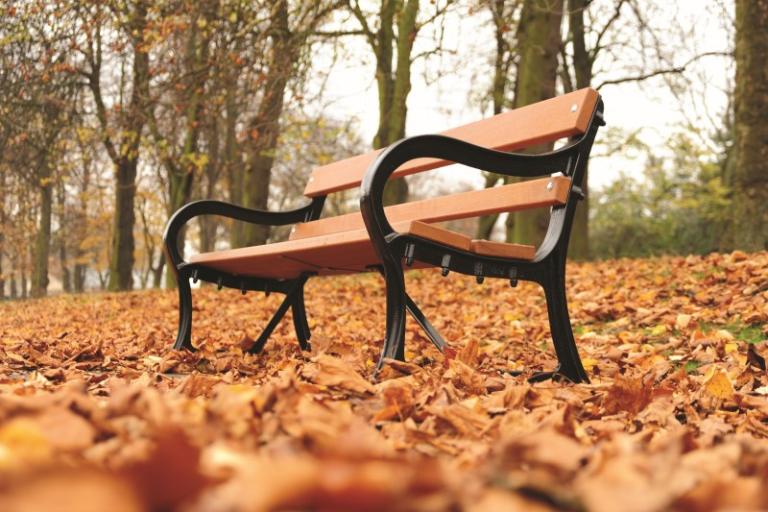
point(114, 113)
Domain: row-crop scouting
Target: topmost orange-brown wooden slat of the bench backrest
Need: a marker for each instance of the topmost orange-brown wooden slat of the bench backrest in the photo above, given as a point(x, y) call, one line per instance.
point(545, 121)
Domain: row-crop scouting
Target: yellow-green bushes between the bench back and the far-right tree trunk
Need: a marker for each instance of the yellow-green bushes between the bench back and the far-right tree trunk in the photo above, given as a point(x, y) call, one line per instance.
point(679, 205)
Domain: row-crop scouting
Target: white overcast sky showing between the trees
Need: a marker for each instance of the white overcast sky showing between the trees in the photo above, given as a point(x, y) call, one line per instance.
point(435, 104)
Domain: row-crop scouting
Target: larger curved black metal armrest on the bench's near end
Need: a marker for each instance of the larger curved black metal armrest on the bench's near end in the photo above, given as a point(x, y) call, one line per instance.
point(453, 150)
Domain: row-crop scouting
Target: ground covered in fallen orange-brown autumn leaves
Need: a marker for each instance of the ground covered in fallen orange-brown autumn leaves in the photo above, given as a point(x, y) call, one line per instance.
point(96, 411)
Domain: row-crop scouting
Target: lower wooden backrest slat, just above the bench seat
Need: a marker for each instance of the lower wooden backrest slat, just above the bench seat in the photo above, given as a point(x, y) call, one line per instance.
point(505, 198)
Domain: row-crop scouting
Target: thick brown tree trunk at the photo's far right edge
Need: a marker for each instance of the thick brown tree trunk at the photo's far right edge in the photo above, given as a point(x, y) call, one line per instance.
point(750, 169)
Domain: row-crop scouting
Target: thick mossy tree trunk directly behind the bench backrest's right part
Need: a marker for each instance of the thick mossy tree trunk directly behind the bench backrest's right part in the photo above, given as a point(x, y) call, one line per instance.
point(539, 42)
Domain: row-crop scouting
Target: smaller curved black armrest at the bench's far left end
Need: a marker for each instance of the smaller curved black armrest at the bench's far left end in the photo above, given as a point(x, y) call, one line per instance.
point(232, 211)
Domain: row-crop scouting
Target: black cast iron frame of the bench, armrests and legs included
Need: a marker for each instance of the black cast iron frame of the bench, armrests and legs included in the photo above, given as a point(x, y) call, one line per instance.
point(393, 248)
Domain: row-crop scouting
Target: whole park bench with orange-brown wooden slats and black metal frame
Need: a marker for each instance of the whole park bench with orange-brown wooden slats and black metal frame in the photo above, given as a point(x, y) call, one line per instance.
point(392, 239)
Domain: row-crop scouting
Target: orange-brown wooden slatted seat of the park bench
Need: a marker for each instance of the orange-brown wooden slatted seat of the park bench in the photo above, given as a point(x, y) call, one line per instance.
point(341, 253)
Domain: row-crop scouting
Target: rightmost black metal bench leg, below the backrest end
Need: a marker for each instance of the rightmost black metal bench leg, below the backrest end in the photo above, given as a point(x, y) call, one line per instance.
point(560, 327)
